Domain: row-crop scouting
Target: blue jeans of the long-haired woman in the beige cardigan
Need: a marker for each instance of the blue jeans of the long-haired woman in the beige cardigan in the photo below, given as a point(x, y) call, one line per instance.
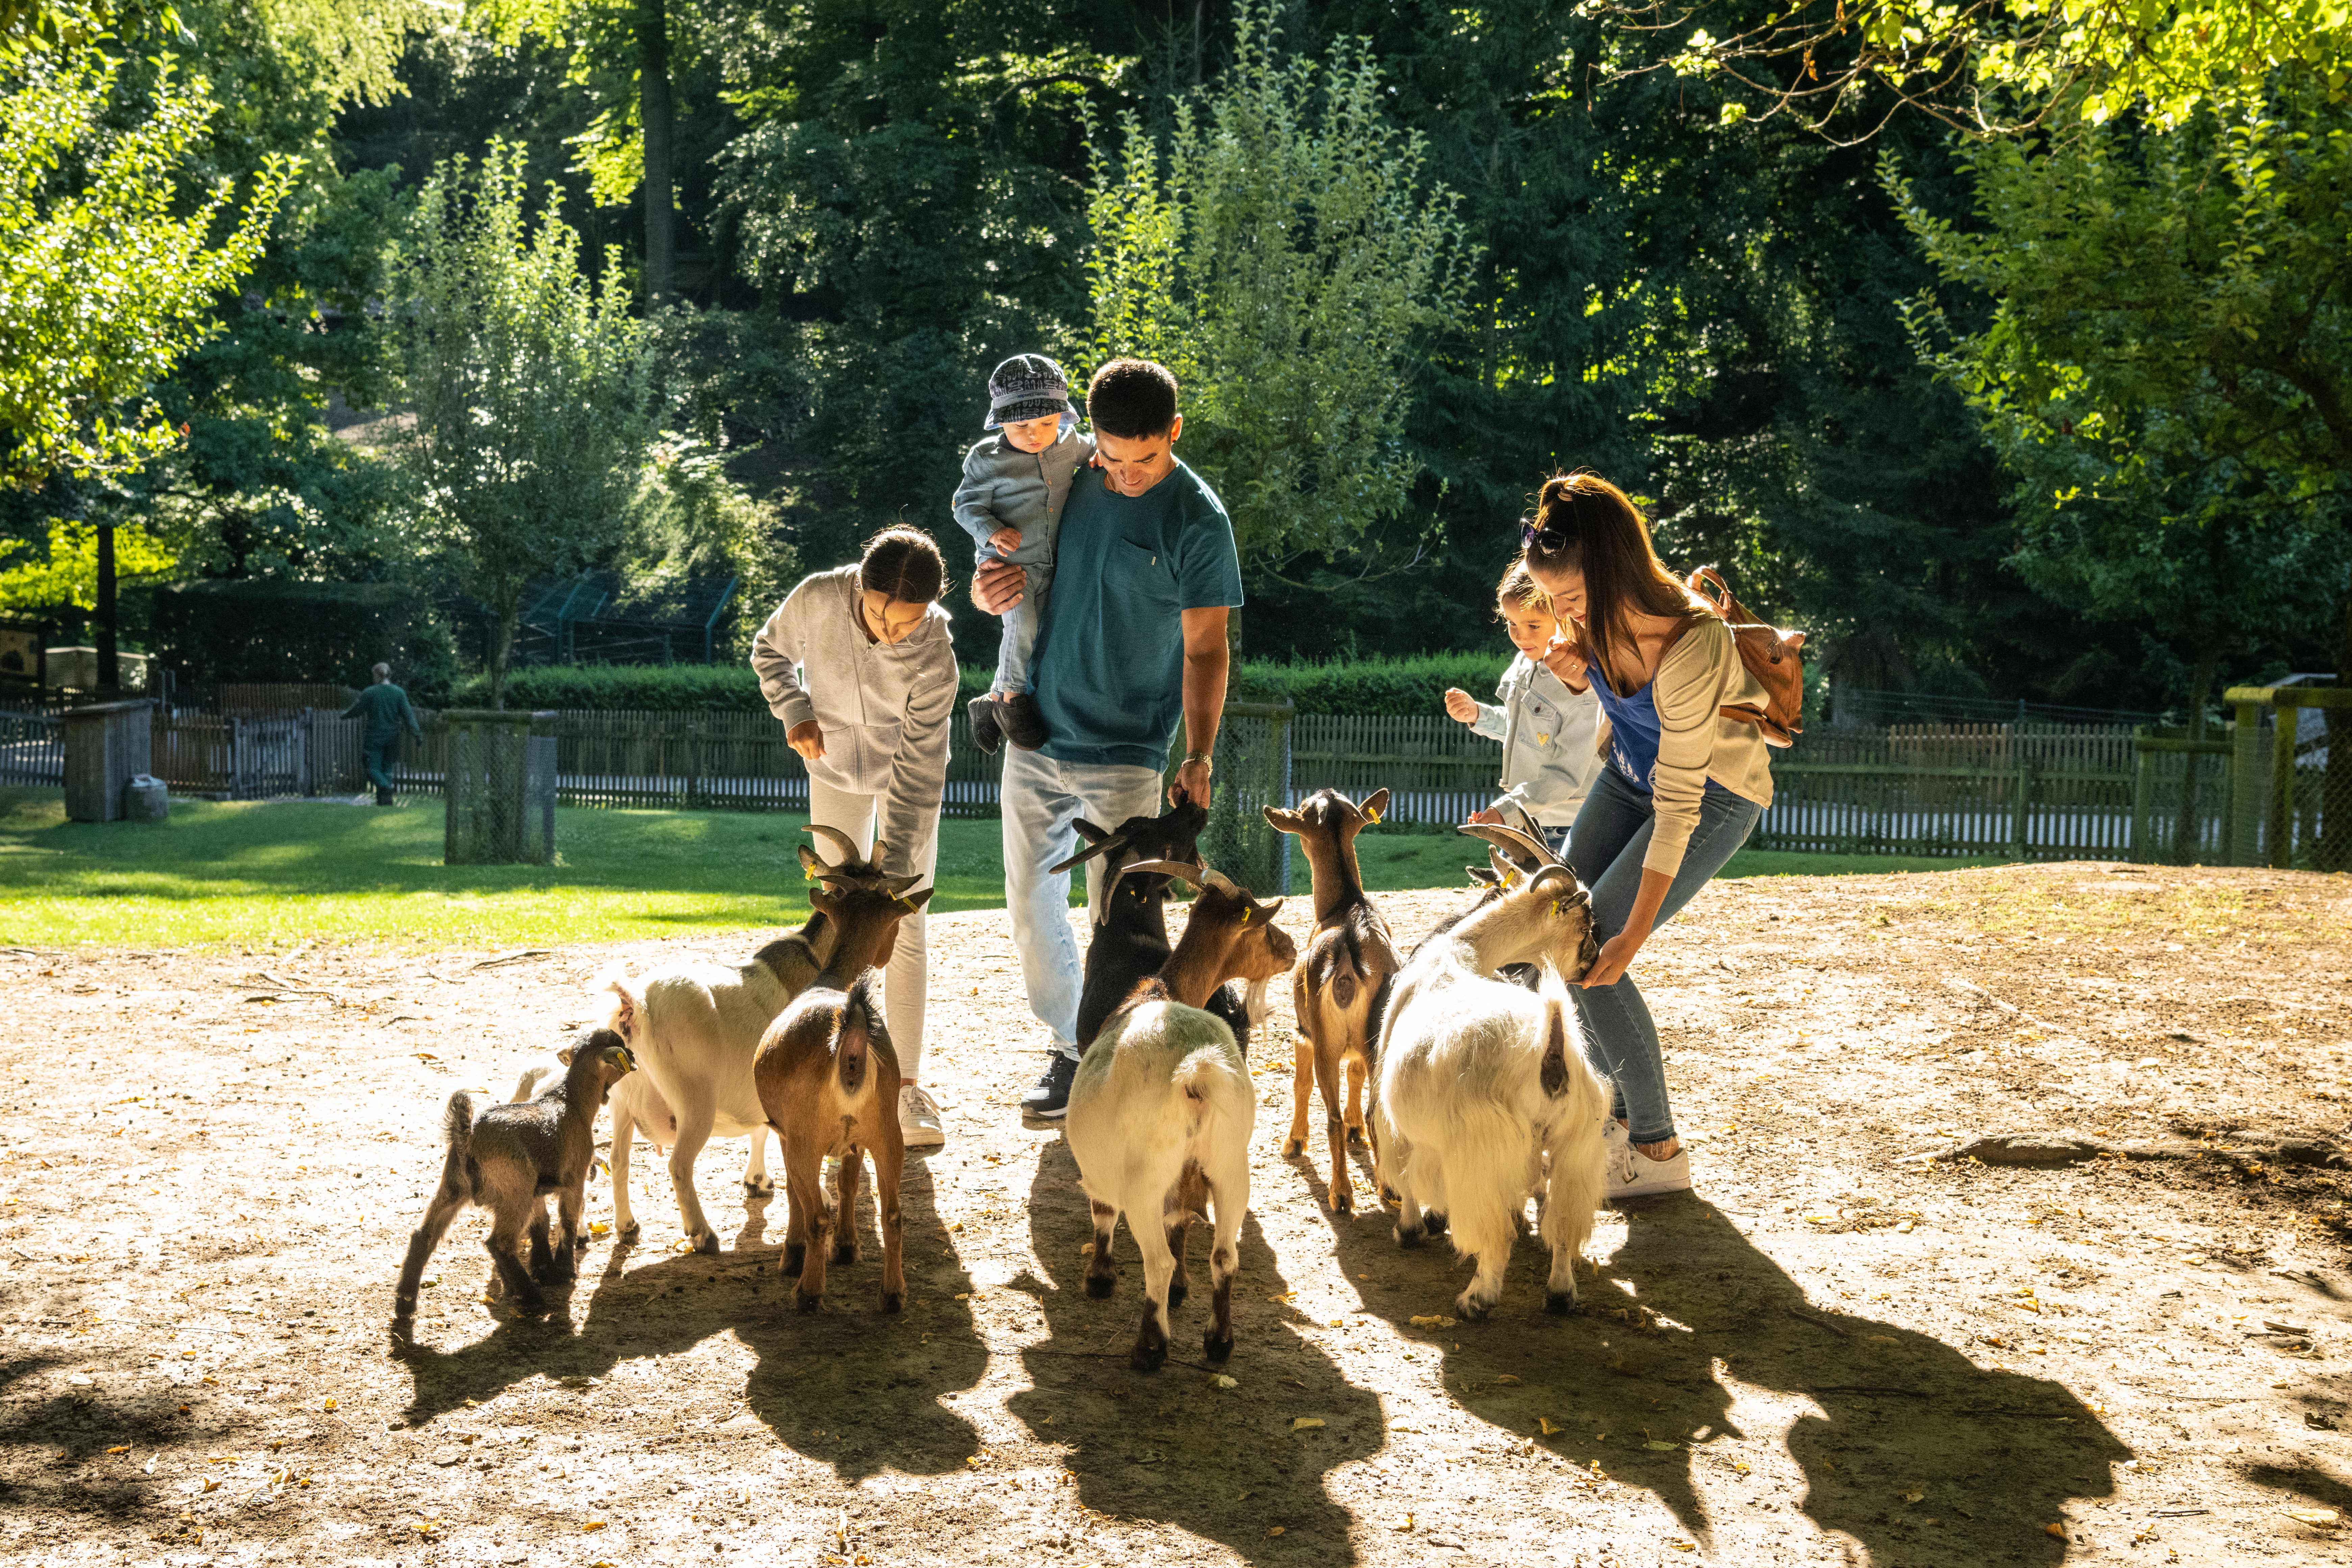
point(1605, 852)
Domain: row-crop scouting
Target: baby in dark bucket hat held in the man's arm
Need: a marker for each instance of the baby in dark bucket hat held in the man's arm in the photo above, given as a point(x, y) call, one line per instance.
point(1010, 502)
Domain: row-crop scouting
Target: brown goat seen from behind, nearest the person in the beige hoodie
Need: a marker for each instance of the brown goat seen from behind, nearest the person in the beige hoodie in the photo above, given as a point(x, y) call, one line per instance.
point(829, 1083)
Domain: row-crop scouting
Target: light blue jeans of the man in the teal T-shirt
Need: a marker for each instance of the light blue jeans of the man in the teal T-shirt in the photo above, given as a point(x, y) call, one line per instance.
point(1041, 803)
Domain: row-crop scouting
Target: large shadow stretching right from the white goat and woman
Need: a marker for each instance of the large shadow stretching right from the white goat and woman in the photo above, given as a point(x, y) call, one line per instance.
point(1688, 1304)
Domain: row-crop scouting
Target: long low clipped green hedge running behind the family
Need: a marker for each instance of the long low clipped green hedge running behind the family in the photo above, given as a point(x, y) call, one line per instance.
point(1365, 685)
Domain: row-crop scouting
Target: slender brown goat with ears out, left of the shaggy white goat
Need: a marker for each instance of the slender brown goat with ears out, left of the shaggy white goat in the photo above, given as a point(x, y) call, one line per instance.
point(1342, 991)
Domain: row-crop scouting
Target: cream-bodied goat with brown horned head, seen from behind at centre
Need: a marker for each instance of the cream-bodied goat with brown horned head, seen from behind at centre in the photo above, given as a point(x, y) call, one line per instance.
point(1161, 1111)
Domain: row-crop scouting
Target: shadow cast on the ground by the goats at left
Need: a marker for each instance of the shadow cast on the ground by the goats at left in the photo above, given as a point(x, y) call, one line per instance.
point(810, 1372)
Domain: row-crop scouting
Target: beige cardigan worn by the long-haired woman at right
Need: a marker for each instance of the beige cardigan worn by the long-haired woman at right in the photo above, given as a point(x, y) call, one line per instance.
point(1697, 744)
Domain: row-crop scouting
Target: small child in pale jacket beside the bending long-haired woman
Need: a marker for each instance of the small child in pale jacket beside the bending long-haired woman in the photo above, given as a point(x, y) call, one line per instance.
point(1549, 730)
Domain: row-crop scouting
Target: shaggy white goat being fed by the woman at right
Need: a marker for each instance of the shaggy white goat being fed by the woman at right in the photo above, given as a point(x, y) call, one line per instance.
point(1485, 1090)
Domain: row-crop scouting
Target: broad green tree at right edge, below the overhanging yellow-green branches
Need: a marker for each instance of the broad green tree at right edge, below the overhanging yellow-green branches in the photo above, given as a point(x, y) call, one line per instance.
point(2172, 326)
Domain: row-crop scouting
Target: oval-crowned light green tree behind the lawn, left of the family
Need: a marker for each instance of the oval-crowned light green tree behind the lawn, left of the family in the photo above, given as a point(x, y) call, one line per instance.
point(530, 389)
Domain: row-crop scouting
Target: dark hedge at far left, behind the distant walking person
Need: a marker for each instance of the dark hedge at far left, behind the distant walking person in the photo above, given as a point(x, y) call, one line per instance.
point(276, 631)
